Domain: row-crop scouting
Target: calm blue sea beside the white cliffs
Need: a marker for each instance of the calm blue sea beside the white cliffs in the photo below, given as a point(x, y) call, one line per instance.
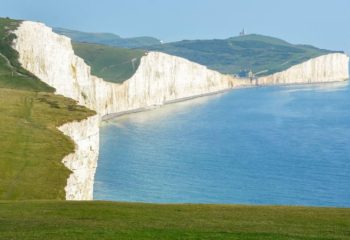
point(273, 145)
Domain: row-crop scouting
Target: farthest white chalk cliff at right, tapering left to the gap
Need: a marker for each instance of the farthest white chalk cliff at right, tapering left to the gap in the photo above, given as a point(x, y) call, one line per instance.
point(326, 68)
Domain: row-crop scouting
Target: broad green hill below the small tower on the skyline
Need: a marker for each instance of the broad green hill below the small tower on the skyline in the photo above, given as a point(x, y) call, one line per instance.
point(262, 54)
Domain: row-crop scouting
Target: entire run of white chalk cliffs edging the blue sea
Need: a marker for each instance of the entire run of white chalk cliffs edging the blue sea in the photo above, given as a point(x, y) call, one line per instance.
point(160, 78)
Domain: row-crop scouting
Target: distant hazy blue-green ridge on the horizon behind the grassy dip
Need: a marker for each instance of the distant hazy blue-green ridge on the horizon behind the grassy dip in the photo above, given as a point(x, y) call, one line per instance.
point(107, 39)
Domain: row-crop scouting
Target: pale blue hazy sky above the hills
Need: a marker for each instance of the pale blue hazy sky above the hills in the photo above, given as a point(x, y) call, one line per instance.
point(323, 23)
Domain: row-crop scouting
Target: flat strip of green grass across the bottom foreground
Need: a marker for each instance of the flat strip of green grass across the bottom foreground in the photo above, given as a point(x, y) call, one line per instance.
point(106, 220)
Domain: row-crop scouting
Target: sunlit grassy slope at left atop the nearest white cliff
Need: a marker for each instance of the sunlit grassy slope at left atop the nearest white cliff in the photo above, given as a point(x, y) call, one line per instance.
point(31, 147)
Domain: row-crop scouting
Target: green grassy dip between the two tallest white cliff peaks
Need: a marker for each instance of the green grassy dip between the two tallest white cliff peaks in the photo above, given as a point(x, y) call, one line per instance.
point(110, 63)
